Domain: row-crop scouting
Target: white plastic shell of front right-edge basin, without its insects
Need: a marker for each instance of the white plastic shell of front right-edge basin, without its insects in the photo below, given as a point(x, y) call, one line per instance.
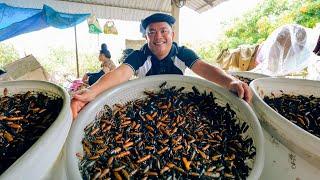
point(292, 136)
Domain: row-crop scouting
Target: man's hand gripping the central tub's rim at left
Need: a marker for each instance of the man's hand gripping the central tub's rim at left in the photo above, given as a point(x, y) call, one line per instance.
point(79, 100)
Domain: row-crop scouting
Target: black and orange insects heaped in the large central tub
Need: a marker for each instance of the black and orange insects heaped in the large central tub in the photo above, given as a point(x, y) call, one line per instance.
point(169, 134)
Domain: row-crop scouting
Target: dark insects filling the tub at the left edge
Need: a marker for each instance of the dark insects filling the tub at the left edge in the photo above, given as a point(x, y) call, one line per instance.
point(23, 119)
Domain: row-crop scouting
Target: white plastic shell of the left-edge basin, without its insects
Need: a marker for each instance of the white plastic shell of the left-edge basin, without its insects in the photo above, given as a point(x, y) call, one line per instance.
point(38, 160)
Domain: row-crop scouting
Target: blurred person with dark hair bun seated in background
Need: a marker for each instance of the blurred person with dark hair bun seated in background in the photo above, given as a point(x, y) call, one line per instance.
point(106, 66)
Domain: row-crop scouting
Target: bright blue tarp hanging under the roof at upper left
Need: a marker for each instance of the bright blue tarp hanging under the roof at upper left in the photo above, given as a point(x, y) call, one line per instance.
point(15, 21)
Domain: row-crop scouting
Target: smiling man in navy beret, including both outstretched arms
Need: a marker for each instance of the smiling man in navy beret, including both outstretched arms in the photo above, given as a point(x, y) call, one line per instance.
point(159, 56)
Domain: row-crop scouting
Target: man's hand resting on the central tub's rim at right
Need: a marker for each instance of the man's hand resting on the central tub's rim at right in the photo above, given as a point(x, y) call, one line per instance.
point(242, 89)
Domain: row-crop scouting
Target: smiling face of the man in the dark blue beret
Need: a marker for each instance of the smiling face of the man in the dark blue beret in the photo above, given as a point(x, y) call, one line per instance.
point(159, 36)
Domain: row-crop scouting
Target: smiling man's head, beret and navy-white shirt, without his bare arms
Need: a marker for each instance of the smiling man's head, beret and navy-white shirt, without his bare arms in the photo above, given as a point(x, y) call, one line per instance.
point(160, 55)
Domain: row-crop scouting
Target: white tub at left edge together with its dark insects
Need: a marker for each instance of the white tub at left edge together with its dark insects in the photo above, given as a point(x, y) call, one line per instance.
point(35, 119)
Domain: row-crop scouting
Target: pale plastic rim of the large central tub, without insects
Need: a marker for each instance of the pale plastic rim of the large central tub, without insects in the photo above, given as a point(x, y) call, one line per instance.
point(92, 106)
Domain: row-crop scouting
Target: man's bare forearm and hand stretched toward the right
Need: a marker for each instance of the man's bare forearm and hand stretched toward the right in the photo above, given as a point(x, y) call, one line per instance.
point(217, 75)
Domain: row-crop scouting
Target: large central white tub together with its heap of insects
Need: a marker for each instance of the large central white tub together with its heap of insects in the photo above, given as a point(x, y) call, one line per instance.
point(166, 126)
